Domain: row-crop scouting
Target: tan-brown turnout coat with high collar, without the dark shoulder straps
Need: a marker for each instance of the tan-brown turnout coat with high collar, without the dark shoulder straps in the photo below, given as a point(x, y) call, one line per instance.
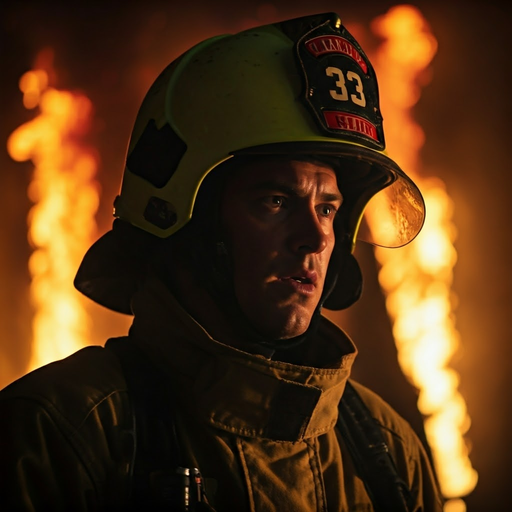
point(262, 432)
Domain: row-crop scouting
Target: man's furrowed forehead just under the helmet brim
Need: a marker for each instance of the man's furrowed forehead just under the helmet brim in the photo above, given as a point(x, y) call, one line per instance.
point(297, 174)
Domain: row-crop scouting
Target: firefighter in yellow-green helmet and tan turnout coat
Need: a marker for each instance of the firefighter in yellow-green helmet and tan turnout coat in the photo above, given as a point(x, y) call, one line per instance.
point(252, 160)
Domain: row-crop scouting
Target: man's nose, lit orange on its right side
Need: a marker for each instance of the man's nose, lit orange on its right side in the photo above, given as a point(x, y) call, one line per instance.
point(308, 235)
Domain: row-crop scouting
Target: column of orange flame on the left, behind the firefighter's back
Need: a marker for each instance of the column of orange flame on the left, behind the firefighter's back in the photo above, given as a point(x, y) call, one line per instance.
point(61, 222)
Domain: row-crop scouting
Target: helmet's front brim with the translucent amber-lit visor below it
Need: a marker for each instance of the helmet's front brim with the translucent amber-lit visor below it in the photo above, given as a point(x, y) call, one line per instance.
point(373, 186)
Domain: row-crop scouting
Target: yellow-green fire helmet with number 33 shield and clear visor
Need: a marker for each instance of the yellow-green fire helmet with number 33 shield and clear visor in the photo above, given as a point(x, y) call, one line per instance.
point(302, 86)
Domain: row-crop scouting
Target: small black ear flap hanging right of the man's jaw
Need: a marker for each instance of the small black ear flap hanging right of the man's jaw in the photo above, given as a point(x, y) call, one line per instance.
point(346, 286)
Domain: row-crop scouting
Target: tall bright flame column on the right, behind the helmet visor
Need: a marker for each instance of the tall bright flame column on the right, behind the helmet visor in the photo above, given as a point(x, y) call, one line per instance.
point(417, 279)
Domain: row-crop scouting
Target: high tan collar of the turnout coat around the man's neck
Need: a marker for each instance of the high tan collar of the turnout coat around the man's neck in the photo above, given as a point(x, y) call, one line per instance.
point(237, 391)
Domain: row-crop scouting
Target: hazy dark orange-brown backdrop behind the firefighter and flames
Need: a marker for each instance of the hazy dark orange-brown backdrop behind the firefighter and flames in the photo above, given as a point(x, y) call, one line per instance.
point(111, 52)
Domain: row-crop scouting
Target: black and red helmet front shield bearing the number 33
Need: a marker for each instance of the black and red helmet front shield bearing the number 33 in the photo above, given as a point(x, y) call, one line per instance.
point(340, 86)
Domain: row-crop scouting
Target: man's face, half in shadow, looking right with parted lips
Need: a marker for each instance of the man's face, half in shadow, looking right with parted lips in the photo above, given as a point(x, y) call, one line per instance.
point(278, 220)
